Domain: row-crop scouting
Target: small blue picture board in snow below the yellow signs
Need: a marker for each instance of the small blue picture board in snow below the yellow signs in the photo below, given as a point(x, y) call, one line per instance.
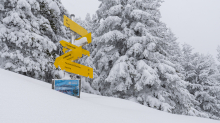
point(70, 87)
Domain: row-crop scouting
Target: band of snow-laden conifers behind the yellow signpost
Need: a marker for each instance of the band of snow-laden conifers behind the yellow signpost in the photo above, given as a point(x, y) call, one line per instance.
point(134, 55)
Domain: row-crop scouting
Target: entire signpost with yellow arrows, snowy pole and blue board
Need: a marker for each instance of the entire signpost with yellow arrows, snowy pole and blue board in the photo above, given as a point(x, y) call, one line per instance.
point(65, 62)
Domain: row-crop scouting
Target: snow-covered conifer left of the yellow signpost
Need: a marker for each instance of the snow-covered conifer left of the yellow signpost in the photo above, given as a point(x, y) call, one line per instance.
point(30, 35)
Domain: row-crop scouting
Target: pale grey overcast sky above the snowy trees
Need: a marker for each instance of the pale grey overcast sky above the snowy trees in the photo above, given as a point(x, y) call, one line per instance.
point(195, 22)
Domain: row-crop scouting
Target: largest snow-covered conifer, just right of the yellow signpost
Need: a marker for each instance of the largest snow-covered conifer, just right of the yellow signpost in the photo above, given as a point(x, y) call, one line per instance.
point(135, 56)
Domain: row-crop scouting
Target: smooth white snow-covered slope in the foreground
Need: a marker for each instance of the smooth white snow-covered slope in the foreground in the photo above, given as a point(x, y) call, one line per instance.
point(26, 100)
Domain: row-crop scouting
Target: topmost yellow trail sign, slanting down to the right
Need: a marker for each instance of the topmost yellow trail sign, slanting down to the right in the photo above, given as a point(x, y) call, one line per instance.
point(74, 26)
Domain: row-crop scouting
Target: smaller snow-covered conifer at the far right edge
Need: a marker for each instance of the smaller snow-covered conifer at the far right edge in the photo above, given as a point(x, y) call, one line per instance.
point(202, 73)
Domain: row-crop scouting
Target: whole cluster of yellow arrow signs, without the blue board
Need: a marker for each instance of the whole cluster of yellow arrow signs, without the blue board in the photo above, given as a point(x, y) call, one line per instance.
point(65, 61)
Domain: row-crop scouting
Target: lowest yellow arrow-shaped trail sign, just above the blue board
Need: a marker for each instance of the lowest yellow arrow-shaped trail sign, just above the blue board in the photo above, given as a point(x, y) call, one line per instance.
point(76, 68)
